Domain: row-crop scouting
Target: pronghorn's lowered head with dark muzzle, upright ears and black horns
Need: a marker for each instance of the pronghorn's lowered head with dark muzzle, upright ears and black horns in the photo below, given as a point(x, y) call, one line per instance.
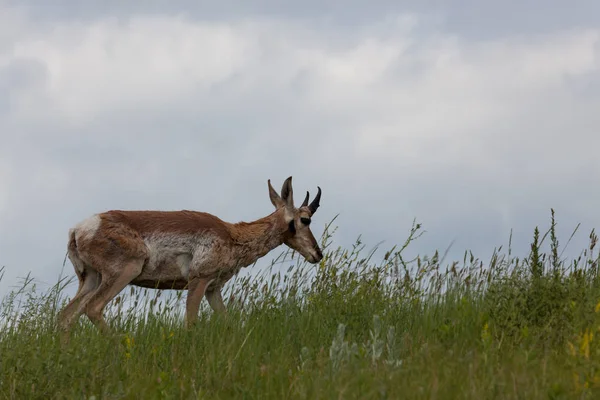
point(298, 235)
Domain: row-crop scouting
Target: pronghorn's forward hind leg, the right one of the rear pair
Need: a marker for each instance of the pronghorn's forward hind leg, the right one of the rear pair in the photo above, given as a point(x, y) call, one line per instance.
point(113, 281)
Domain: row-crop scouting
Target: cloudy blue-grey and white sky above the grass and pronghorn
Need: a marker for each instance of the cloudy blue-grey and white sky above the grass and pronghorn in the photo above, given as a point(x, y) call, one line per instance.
point(474, 118)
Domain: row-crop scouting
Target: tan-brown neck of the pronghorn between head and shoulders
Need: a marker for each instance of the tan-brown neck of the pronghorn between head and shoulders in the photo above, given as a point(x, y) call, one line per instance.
point(255, 239)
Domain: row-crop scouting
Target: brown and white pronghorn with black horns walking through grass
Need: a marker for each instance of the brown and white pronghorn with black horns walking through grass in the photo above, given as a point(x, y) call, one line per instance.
point(179, 250)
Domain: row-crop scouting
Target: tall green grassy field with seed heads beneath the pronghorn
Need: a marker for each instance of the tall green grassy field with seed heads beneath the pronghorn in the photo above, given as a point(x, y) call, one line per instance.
point(348, 328)
